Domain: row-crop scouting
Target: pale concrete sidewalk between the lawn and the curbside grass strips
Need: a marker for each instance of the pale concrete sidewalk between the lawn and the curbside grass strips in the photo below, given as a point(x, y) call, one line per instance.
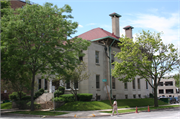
point(71, 114)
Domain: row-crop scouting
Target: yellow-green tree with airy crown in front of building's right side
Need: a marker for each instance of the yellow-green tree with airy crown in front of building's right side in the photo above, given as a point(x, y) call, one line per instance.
point(147, 57)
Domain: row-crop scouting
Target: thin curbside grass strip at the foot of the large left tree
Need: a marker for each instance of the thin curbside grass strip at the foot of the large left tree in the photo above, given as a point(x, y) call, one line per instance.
point(50, 113)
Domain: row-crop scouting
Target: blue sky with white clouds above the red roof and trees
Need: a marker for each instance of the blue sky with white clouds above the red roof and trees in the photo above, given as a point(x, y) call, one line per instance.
point(154, 15)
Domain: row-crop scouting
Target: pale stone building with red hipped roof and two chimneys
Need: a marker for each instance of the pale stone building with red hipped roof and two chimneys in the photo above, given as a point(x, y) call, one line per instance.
point(99, 56)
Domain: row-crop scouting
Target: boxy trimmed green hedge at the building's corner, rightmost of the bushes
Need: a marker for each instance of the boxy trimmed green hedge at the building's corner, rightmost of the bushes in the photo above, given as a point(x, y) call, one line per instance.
point(84, 97)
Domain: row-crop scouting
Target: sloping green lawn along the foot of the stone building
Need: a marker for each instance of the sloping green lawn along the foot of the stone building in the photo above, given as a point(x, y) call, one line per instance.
point(99, 105)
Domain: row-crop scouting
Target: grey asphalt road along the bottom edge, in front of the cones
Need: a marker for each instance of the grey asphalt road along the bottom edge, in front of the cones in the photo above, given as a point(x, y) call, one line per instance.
point(160, 114)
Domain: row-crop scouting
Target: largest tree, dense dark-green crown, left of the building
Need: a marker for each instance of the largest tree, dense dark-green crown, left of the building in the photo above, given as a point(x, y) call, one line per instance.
point(37, 36)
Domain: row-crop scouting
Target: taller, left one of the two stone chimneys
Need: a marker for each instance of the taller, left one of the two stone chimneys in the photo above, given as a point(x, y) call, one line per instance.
point(115, 23)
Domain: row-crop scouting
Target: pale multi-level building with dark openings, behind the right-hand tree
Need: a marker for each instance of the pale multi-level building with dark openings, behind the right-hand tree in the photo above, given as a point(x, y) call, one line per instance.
point(167, 88)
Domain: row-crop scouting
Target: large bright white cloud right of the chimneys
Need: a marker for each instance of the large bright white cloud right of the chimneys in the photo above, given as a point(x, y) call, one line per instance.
point(169, 26)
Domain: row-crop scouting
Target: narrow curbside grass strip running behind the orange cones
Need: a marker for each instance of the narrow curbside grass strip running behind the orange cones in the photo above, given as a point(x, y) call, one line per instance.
point(142, 109)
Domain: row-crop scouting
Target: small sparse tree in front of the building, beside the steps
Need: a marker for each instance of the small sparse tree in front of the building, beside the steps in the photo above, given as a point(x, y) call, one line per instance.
point(74, 77)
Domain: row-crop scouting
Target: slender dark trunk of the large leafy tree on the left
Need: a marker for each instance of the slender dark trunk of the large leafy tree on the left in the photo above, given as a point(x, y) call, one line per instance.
point(32, 92)
